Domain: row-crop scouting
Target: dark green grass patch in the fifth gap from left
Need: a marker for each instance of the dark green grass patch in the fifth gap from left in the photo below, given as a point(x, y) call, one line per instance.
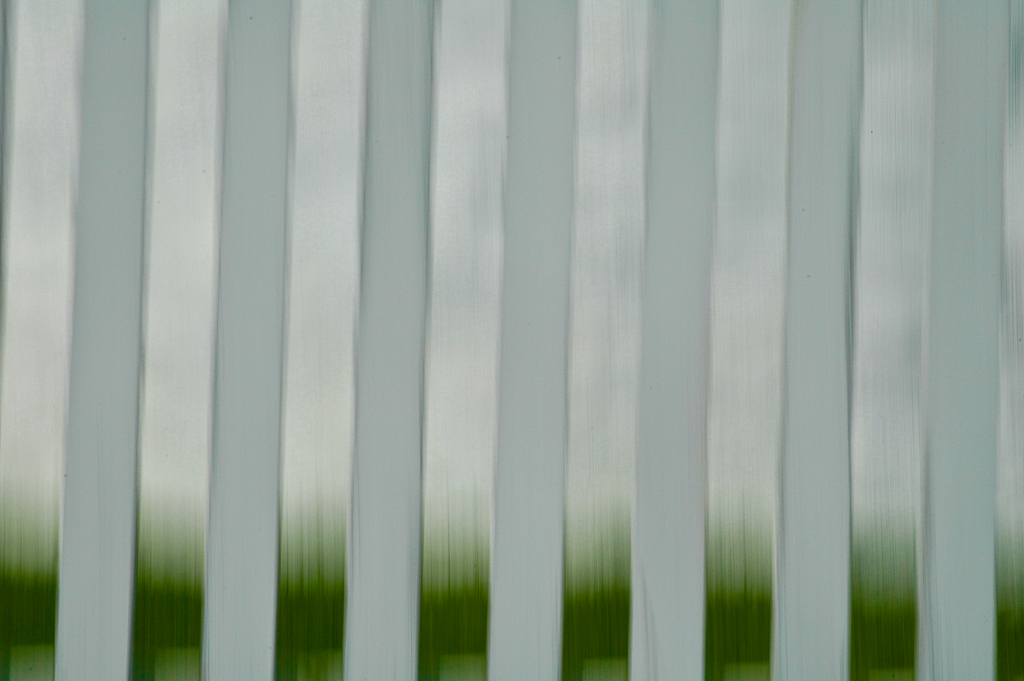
point(595, 625)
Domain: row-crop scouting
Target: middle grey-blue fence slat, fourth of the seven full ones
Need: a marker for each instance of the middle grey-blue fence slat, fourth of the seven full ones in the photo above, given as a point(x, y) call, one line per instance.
point(527, 587)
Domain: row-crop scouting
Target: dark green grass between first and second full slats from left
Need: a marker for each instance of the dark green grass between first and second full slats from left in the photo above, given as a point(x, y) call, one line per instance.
point(166, 615)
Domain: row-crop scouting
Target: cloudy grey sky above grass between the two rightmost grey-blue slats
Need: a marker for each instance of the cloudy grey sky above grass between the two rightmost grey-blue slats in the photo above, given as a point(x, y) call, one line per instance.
point(891, 265)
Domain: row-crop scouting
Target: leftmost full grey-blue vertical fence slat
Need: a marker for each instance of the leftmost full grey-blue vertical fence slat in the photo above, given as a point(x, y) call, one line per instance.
point(94, 604)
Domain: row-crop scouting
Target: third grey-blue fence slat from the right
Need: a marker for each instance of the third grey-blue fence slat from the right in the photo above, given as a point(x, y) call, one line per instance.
point(668, 605)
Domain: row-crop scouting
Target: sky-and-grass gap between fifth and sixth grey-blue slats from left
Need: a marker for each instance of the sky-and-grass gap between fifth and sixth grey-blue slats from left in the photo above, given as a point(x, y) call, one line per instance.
point(745, 405)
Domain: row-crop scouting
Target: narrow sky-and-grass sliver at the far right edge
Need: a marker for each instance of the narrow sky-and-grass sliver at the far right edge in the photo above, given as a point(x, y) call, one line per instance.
point(1010, 473)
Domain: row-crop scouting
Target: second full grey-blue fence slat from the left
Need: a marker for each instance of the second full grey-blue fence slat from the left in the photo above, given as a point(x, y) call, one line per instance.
point(242, 550)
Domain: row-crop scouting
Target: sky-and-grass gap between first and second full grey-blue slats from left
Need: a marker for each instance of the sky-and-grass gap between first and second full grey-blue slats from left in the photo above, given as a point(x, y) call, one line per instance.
point(180, 307)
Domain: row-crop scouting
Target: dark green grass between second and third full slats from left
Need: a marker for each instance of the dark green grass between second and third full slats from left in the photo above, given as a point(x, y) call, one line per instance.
point(311, 631)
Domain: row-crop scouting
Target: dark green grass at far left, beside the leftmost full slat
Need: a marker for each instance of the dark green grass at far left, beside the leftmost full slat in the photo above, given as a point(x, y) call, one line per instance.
point(28, 613)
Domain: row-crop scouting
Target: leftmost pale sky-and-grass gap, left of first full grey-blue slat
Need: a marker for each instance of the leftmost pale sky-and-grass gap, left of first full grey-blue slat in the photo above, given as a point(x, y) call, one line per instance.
point(40, 168)
